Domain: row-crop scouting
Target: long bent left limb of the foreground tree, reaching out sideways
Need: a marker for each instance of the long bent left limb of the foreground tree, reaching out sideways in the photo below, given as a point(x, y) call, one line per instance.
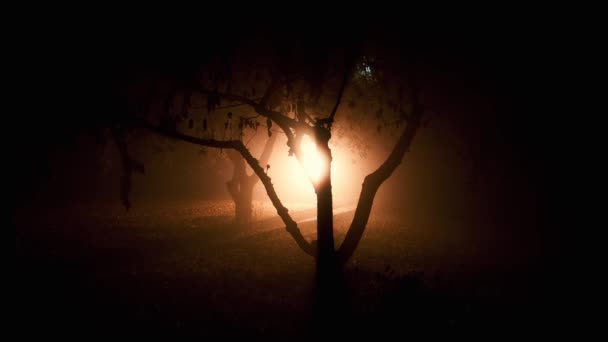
point(290, 225)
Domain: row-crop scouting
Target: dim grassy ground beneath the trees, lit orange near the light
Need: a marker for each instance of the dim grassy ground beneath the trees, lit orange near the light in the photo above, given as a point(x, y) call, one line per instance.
point(183, 269)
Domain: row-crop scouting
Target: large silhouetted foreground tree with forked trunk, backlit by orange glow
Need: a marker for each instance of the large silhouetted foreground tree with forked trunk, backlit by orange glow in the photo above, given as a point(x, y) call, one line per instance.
point(305, 88)
